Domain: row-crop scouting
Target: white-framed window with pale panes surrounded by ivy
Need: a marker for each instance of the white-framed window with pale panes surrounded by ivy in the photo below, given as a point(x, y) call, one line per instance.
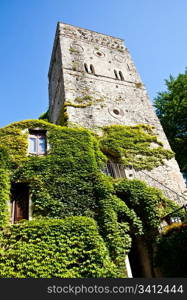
point(37, 142)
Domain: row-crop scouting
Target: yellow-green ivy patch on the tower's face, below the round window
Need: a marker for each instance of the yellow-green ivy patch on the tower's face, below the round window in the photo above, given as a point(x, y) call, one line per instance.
point(132, 145)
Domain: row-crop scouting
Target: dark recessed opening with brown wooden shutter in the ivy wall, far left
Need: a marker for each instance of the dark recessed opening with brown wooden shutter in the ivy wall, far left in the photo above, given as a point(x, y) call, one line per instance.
point(20, 202)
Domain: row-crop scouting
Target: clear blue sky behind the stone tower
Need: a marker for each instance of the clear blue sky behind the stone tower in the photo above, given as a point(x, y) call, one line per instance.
point(155, 32)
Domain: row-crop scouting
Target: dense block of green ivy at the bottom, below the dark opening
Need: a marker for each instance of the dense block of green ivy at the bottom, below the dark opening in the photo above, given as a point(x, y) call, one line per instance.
point(55, 249)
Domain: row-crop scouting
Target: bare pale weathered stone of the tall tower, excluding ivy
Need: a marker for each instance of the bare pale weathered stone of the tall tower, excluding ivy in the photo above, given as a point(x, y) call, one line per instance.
point(93, 81)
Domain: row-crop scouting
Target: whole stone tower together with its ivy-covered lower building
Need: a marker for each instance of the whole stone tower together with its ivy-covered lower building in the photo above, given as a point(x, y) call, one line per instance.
point(61, 215)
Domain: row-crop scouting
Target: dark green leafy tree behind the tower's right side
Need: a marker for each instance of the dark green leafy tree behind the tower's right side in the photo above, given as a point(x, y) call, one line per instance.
point(171, 108)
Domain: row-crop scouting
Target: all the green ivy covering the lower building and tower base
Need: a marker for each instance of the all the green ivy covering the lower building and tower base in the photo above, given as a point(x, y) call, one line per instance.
point(68, 182)
